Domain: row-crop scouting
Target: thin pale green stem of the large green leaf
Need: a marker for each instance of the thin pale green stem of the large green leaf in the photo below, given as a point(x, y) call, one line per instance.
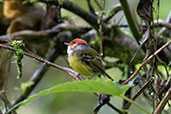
point(137, 105)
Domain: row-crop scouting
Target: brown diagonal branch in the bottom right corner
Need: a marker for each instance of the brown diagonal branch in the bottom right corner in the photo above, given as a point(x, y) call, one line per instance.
point(166, 98)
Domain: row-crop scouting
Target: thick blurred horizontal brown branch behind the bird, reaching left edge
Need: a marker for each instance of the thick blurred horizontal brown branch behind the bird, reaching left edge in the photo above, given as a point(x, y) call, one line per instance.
point(30, 34)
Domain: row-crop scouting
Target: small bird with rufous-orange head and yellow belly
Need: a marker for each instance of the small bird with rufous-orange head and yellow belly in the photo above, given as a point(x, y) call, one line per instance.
point(84, 59)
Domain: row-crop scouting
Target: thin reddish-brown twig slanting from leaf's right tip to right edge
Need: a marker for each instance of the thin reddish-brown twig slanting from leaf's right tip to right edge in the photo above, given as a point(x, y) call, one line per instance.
point(144, 62)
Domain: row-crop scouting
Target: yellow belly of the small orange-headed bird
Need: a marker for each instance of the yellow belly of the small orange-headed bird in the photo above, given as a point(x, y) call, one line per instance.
point(80, 67)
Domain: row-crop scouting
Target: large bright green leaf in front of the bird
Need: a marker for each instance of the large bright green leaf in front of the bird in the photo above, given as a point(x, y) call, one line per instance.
point(92, 86)
